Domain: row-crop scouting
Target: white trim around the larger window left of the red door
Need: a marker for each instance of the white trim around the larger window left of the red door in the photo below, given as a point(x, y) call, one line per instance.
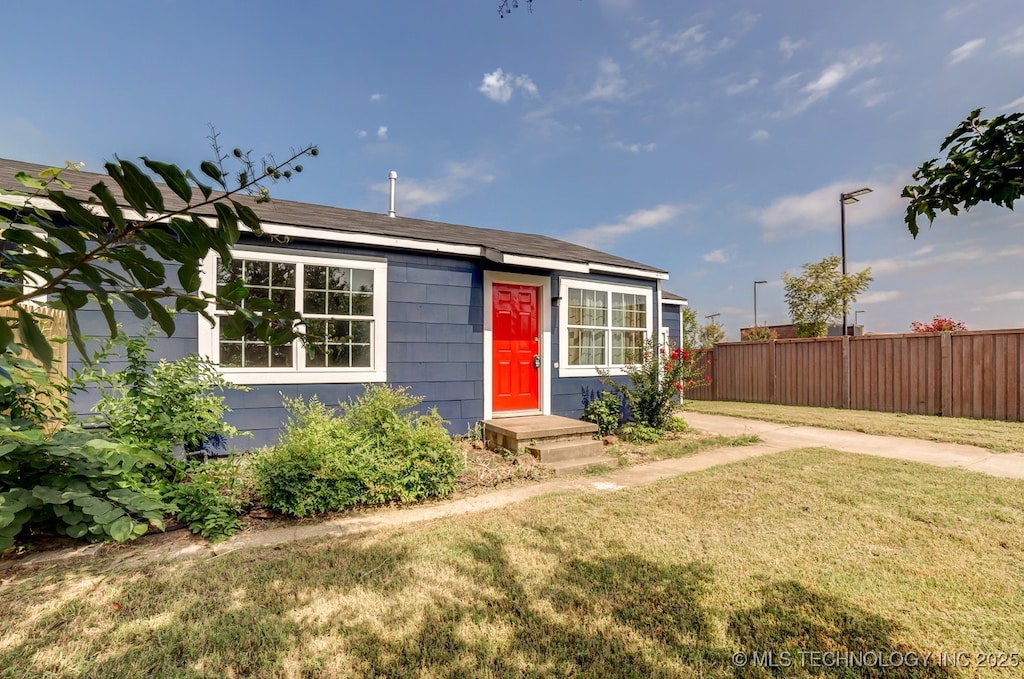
point(208, 335)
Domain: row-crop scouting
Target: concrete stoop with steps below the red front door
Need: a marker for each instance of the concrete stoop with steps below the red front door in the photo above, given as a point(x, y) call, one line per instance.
point(565, 445)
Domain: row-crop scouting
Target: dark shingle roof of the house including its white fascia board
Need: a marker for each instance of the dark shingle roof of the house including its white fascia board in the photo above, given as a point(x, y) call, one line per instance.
point(325, 223)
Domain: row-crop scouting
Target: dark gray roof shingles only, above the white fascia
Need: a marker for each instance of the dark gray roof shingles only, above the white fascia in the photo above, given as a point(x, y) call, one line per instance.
point(356, 222)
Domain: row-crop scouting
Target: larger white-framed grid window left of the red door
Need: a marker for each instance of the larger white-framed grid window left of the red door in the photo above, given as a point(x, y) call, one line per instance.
point(344, 305)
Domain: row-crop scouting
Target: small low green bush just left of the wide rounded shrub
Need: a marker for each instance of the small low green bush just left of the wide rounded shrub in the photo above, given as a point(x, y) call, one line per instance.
point(209, 498)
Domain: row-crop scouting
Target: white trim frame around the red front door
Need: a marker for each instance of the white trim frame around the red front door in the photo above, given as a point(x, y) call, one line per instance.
point(544, 283)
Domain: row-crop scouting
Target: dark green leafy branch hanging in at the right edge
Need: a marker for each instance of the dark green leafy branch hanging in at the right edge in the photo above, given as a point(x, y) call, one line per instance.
point(985, 164)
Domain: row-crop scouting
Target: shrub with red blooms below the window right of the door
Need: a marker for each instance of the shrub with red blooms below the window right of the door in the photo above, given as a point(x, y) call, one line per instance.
point(659, 380)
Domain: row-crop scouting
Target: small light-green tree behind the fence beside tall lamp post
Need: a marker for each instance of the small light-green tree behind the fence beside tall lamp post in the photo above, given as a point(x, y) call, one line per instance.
point(822, 295)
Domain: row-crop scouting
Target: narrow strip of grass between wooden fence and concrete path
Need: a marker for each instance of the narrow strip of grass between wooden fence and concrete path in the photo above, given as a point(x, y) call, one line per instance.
point(994, 435)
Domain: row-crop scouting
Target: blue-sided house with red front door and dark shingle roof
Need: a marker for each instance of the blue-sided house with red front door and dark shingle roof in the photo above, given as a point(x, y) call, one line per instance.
point(484, 324)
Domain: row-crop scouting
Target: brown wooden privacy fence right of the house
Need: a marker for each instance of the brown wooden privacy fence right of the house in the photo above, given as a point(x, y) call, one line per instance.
point(972, 374)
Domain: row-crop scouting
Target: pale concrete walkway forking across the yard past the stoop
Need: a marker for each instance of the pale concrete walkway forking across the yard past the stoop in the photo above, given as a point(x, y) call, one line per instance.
point(776, 438)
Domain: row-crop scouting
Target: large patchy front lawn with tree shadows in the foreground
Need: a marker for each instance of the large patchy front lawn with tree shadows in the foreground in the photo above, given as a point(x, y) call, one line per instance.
point(805, 550)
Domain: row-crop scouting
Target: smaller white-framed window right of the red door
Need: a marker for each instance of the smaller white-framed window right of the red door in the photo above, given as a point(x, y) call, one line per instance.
point(604, 326)
